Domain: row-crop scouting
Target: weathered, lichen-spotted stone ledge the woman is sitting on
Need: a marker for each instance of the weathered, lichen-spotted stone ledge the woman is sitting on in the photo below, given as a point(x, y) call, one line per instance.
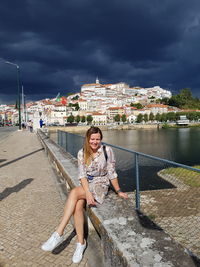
point(128, 238)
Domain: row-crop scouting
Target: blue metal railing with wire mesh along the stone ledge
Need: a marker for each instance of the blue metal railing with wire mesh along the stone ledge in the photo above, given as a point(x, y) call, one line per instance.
point(166, 191)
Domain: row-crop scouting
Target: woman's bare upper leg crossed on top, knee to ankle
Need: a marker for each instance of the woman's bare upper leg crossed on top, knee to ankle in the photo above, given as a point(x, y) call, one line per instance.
point(76, 194)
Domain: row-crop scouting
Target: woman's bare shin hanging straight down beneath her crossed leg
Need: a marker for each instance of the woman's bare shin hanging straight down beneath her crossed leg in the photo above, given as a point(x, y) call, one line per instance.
point(79, 220)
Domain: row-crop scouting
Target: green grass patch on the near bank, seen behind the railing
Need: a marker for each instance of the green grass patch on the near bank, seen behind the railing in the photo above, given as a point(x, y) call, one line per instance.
point(188, 177)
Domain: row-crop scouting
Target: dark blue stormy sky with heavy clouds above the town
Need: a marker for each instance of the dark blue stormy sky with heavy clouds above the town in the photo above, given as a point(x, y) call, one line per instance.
point(61, 44)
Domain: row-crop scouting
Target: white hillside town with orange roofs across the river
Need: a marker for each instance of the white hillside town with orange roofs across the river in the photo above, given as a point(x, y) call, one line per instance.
point(96, 102)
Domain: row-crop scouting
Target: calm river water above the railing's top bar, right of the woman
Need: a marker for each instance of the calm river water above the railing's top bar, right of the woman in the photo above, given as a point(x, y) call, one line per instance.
point(181, 145)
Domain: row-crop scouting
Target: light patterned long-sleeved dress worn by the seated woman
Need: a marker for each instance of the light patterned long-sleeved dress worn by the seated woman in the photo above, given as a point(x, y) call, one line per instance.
point(99, 172)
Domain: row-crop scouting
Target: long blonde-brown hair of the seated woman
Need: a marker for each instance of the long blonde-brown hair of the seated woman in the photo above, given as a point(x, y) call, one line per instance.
point(88, 153)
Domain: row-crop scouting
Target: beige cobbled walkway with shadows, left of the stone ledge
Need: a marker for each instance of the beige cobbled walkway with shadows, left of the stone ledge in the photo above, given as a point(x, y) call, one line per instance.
point(30, 206)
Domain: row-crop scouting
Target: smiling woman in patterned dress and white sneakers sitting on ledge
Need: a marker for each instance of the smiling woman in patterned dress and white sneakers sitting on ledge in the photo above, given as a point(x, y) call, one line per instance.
point(96, 165)
